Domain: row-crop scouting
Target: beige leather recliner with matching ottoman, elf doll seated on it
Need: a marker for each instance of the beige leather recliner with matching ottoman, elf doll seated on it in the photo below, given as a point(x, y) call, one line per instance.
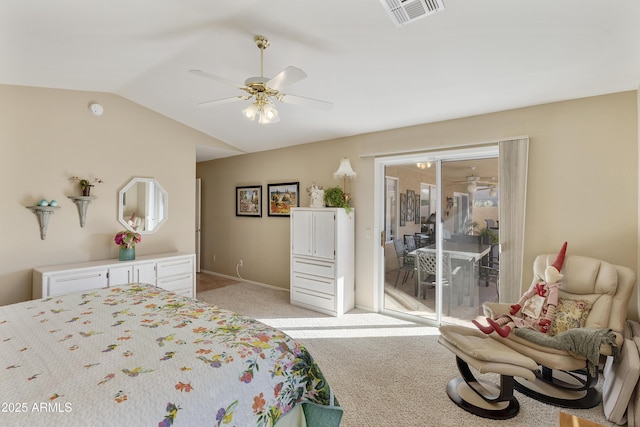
point(593, 294)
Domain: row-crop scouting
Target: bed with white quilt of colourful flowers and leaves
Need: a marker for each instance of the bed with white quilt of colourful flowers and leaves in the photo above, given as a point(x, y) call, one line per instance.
point(139, 355)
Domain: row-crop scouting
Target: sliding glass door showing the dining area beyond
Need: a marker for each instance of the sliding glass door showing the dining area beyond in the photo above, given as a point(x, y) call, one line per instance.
point(434, 257)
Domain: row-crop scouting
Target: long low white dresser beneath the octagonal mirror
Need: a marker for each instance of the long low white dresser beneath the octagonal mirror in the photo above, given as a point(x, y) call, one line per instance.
point(171, 271)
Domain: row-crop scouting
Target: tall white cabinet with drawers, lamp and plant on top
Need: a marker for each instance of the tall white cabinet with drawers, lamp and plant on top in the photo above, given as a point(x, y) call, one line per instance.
point(322, 259)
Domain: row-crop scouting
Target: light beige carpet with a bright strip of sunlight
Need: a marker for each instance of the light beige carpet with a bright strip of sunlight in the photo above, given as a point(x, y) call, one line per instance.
point(384, 371)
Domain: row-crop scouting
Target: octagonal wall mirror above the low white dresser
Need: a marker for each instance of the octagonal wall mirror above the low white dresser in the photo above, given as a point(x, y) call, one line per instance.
point(143, 205)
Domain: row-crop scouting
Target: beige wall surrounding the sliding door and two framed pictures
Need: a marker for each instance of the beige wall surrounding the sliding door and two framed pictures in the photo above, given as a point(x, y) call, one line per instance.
point(583, 187)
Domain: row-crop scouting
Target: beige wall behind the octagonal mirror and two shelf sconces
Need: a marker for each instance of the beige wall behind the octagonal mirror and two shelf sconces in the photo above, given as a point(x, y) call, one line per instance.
point(48, 135)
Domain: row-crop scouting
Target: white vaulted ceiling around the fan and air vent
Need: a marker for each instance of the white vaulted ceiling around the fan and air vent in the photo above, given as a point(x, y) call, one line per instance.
point(474, 57)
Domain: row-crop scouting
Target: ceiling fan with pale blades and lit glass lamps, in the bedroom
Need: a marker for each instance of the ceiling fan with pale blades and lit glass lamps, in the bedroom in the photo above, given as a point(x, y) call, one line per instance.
point(264, 90)
